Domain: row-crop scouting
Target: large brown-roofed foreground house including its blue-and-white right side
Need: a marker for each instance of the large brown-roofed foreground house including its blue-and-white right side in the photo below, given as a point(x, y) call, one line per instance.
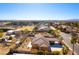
point(45, 43)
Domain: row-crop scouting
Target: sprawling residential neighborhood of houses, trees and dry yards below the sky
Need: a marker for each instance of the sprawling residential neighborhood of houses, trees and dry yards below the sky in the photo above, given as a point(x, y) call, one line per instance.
point(39, 38)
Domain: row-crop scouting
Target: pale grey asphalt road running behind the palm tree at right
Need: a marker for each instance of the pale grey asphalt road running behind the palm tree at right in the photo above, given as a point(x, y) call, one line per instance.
point(67, 38)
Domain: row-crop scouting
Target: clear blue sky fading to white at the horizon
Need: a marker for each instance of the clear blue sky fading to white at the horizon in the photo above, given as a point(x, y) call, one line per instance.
point(39, 11)
